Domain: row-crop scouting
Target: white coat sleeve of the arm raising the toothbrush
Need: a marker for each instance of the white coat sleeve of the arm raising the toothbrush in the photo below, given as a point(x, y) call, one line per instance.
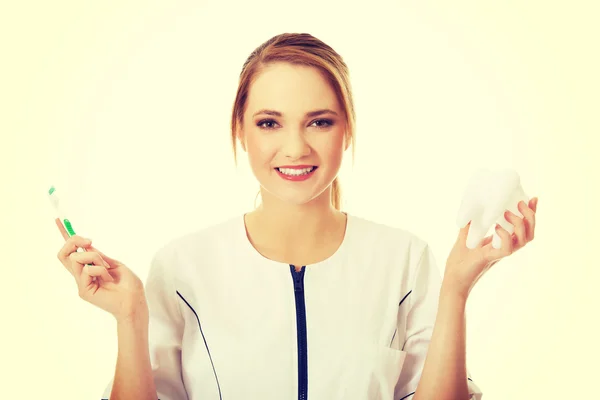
point(165, 333)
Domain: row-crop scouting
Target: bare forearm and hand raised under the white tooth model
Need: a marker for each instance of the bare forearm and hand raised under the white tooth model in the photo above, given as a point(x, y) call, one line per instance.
point(444, 372)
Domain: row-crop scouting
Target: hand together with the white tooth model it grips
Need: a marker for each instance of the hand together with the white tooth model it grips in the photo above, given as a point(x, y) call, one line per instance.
point(492, 197)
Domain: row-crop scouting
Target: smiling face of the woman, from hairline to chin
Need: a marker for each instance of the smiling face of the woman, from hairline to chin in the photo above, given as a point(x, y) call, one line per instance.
point(295, 155)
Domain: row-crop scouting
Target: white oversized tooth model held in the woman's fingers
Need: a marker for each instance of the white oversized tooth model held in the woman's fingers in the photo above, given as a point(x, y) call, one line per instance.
point(487, 196)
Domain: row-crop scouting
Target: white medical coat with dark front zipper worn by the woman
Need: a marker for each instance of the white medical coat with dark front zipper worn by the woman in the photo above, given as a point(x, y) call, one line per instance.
point(226, 323)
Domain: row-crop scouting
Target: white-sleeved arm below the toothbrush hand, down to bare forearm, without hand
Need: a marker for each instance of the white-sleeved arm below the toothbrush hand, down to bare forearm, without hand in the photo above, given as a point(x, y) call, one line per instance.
point(149, 343)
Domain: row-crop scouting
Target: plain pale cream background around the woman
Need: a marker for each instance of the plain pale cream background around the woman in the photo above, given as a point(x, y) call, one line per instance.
point(125, 107)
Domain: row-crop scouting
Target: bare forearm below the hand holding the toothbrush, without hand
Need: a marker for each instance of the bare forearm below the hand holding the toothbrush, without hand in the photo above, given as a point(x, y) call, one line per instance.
point(133, 375)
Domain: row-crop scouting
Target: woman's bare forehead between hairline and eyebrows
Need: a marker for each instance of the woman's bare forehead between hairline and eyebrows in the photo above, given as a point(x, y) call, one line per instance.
point(291, 89)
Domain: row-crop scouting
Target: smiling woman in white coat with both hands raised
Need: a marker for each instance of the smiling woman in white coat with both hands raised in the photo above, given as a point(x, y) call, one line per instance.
point(295, 299)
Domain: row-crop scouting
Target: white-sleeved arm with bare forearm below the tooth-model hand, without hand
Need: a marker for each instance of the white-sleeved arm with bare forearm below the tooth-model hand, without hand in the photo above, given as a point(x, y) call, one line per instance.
point(435, 338)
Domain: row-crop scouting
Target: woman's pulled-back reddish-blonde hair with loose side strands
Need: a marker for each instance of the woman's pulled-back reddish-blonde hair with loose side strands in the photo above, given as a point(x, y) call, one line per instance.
point(298, 49)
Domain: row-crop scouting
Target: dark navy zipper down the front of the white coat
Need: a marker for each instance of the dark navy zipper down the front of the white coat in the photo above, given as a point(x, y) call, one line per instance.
point(298, 277)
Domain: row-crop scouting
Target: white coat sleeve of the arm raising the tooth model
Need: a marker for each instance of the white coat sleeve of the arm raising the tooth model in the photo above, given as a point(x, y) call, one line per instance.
point(422, 305)
